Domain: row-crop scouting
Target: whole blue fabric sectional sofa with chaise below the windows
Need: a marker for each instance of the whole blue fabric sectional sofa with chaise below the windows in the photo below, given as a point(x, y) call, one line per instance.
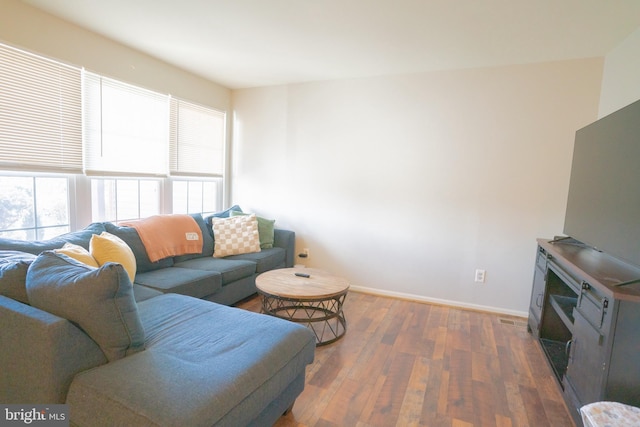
point(170, 352)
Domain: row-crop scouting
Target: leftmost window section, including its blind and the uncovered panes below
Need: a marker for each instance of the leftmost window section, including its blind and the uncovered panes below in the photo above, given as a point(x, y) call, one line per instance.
point(40, 131)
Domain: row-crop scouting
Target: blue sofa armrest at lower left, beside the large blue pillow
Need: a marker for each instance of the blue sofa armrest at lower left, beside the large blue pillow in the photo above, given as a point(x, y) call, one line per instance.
point(41, 353)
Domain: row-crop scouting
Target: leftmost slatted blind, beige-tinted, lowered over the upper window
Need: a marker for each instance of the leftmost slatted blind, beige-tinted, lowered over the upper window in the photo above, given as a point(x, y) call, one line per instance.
point(40, 113)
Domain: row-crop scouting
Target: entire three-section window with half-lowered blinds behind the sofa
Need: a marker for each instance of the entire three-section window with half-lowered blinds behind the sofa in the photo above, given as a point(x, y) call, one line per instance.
point(124, 151)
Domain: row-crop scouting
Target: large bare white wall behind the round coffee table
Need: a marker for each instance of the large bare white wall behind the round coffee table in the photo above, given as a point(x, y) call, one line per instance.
point(406, 184)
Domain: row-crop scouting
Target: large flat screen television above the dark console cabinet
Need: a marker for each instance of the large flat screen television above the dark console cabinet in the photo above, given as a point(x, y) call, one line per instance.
point(603, 207)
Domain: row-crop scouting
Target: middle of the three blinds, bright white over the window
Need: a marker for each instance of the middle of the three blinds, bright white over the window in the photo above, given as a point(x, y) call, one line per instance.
point(126, 128)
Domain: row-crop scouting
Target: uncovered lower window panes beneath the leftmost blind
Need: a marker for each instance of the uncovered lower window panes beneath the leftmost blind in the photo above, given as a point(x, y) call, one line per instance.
point(34, 207)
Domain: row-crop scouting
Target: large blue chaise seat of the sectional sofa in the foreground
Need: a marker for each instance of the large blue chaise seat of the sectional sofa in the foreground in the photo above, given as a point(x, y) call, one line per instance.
point(205, 364)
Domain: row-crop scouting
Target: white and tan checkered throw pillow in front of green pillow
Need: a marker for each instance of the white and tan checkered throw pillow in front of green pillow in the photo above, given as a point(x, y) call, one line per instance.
point(235, 235)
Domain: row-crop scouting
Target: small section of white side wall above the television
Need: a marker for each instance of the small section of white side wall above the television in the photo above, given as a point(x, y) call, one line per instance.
point(621, 78)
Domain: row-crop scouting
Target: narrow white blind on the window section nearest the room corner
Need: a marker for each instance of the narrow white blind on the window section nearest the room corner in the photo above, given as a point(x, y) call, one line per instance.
point(197, 140)
